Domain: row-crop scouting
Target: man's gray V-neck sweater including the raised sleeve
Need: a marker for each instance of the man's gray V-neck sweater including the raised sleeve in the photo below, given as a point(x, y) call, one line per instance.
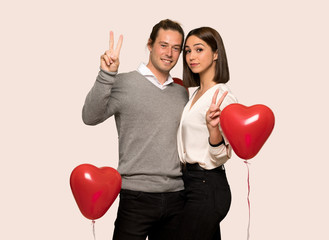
point(147, 119)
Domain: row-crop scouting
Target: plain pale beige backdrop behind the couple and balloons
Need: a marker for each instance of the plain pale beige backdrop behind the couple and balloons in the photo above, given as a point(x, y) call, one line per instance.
point(278, 56)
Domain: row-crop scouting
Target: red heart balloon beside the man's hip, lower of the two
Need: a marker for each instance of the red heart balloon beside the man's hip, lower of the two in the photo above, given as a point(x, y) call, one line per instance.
point(94, 189)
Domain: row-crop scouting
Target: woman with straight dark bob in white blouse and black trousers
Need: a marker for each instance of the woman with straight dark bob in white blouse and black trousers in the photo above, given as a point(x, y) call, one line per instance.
point(201, 144)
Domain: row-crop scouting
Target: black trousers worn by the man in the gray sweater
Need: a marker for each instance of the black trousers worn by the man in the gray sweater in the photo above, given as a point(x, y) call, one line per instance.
point(141, 214)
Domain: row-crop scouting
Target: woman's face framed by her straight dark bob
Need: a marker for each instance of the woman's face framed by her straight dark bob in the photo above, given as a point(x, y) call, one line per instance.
point(199, 56)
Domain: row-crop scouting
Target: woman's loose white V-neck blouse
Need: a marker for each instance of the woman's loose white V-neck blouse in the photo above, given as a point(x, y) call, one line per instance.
point(192, 136)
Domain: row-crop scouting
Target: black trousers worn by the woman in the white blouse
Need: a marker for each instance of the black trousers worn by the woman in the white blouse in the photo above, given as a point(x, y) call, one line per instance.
point(208, 200)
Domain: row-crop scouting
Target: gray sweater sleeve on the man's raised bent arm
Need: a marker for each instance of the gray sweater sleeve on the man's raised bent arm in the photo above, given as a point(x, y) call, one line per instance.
point(99, 105)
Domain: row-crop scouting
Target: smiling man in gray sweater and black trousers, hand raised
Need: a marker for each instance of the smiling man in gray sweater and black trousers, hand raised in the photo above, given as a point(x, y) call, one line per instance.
point(147, 106)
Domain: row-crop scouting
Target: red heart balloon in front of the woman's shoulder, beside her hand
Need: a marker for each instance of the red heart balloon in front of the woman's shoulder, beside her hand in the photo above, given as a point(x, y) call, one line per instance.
point(247, 128)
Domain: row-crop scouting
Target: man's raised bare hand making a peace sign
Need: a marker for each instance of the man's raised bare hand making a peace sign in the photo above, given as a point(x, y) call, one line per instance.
point(110, 59)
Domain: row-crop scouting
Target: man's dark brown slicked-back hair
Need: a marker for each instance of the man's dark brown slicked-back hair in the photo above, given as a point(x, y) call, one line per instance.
point(165, 24)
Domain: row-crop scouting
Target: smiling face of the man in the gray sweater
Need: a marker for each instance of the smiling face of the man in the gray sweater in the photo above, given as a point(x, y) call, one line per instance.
point(165, 51)
